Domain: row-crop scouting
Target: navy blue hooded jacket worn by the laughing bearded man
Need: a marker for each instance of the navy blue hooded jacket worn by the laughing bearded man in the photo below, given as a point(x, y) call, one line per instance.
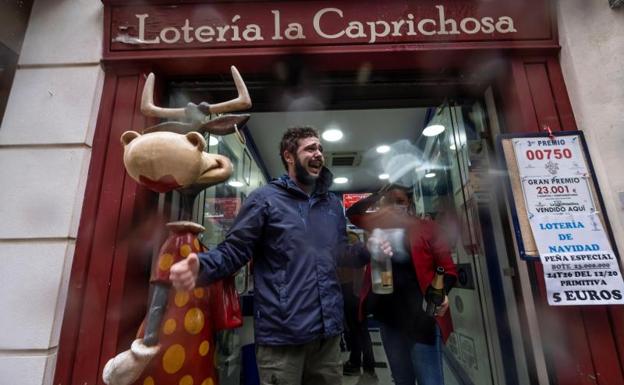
point(295, 241)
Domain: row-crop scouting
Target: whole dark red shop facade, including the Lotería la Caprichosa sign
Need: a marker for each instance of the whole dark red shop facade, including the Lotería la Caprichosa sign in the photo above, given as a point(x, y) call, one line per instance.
point(447, 46)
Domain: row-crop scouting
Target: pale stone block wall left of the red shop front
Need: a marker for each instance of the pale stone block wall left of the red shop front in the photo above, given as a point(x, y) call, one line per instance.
point(45, 148)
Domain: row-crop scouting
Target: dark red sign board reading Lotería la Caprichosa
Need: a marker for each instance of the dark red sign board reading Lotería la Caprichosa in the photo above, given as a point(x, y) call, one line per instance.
point(309, 23)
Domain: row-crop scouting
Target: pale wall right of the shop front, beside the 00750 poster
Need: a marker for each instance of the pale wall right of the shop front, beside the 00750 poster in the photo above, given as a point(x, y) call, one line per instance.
point(591, 35)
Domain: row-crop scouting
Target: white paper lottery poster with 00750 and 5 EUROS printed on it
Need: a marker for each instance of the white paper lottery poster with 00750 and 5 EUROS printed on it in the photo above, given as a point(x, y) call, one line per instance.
point(580, 266)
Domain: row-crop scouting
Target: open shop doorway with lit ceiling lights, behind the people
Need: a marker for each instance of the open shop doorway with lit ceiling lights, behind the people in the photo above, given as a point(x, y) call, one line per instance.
point(451, 174)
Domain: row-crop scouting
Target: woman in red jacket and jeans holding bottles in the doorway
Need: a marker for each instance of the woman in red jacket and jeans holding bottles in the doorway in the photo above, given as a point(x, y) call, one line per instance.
point(411, 338)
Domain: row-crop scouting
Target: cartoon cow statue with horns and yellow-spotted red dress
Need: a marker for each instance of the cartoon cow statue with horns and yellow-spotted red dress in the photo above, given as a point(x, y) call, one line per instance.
point(175, 343)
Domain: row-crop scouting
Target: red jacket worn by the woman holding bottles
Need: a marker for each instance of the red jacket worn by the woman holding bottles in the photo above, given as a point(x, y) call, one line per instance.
point(427, 247)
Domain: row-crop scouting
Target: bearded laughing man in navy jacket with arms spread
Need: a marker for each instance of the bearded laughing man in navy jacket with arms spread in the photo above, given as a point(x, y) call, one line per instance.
point(295, 230)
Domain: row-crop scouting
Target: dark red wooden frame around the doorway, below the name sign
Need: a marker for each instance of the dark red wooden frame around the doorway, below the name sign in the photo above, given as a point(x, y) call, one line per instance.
point(531, 93)
